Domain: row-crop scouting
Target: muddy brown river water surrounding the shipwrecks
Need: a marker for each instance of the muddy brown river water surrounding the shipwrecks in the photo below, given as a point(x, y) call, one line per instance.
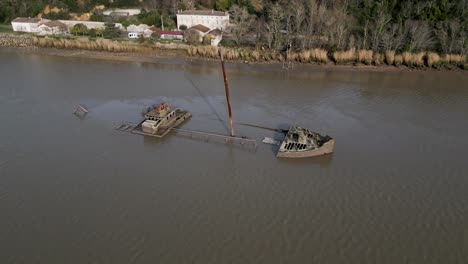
point(77, 191)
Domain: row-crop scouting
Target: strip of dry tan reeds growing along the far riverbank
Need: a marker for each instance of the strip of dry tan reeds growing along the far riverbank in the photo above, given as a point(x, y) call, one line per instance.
point(368, 57)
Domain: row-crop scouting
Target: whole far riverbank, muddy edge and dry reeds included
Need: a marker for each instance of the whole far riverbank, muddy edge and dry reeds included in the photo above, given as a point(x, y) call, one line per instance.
point(155, 52)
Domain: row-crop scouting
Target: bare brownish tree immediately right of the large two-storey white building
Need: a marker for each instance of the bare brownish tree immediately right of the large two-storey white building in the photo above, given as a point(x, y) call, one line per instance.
point(242, 23)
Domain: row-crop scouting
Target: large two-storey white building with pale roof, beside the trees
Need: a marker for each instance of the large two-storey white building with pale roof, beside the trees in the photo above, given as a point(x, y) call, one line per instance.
point(209, 18)
